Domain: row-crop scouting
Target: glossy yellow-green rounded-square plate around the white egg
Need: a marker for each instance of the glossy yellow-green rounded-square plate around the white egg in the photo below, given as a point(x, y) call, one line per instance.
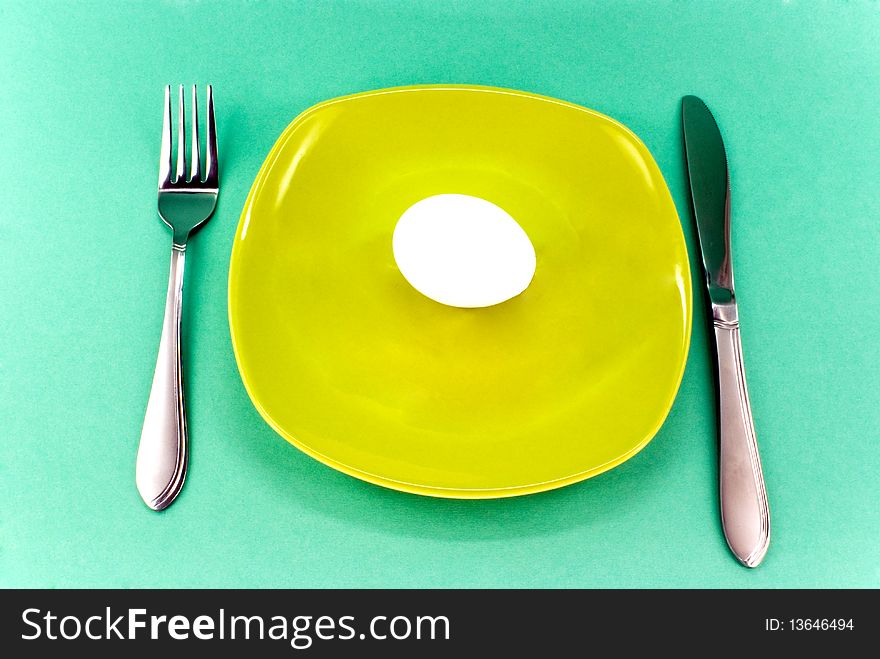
point(348, 362)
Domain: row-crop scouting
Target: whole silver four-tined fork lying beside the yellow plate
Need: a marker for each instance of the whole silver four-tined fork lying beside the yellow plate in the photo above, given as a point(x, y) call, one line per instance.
point(184, 205)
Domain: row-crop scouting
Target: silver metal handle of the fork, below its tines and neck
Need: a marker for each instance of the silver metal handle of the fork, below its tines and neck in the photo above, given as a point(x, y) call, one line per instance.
point(162, 454)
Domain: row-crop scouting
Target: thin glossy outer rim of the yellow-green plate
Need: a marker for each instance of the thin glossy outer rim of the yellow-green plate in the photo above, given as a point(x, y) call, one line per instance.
point(417, 488)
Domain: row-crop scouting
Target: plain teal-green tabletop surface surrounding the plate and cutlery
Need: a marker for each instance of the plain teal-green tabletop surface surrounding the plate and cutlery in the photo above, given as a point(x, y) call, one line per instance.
point(83, 265)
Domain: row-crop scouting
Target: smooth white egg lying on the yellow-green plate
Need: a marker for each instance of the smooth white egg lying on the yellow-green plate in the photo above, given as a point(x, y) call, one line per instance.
point(463, 251)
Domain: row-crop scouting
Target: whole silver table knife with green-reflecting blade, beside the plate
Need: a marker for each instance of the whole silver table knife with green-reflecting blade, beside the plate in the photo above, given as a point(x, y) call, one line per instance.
point(745, 514)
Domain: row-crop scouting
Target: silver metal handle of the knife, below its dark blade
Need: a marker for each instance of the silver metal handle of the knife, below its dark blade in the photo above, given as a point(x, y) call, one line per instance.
point(745, 513)
